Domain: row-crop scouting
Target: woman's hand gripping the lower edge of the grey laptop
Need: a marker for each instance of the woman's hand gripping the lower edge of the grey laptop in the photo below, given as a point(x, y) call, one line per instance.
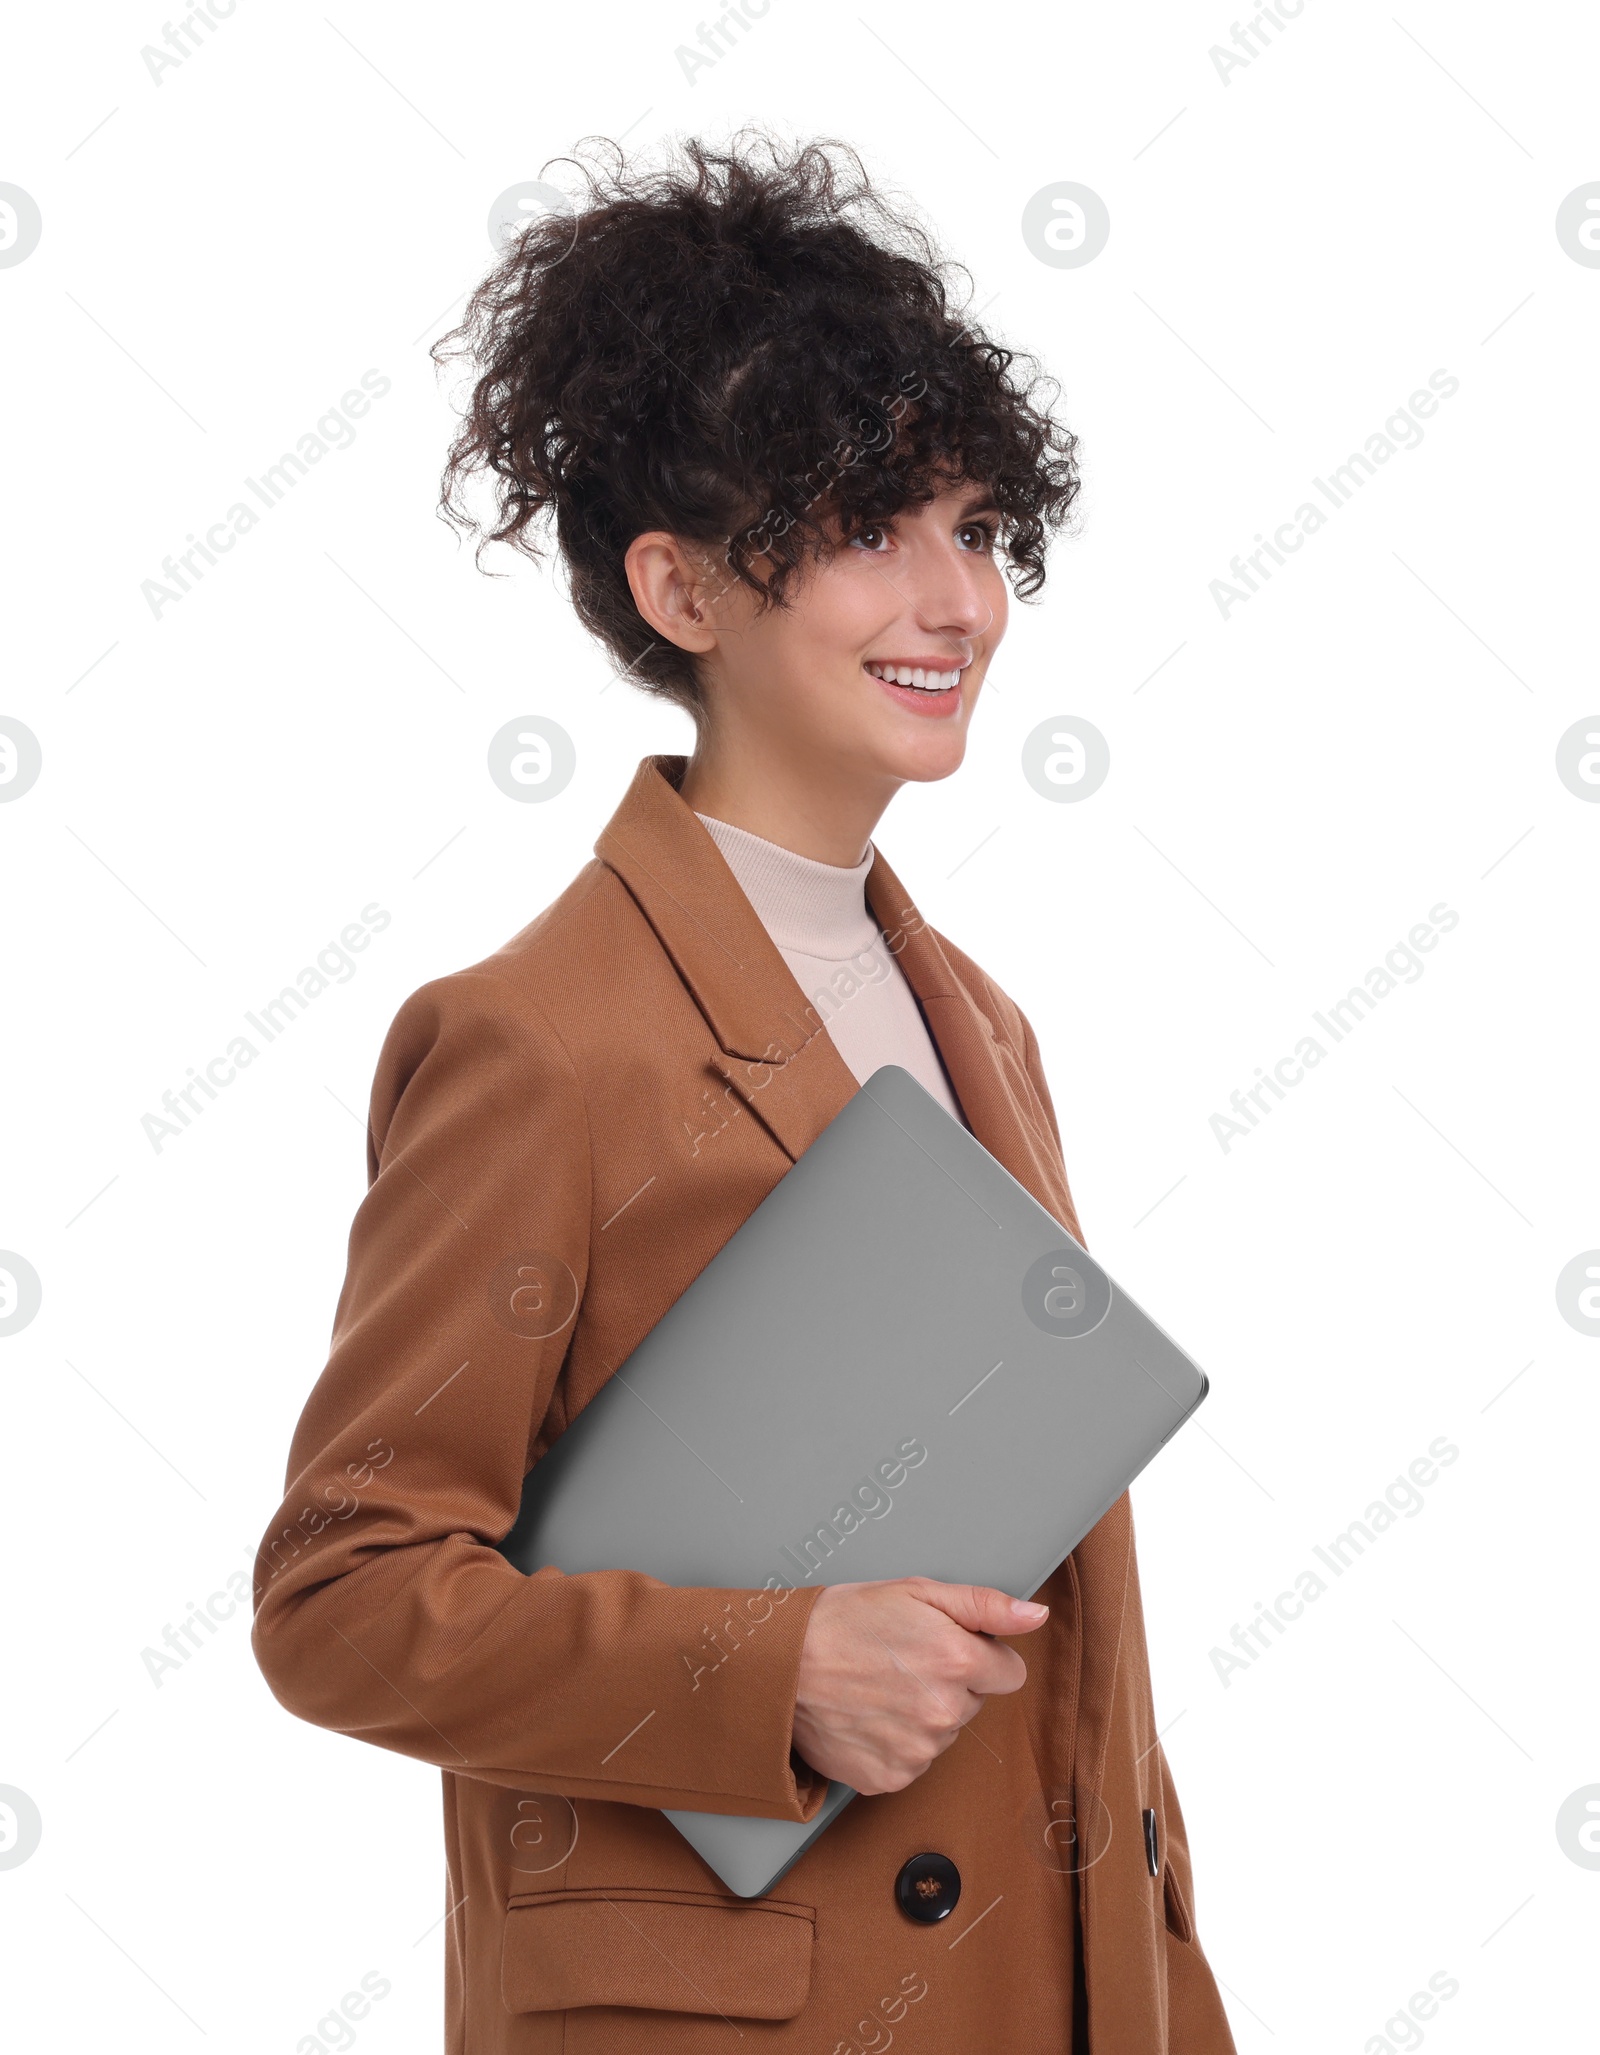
point(892, 1672)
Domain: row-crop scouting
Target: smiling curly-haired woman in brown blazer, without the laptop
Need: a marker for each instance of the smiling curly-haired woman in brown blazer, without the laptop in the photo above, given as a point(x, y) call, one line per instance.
point(788, 486)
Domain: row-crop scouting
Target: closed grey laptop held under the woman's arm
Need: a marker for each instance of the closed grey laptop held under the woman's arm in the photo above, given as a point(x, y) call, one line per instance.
point(901, 1366)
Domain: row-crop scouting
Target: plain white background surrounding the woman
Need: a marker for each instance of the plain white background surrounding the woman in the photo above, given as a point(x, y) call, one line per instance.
point(1293, 788)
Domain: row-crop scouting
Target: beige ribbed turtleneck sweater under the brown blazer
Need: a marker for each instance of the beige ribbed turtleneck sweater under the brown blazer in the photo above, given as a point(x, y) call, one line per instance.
point(825, 930)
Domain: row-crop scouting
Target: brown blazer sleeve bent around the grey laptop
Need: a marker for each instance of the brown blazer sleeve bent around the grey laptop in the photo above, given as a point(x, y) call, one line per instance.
point(383, 1606)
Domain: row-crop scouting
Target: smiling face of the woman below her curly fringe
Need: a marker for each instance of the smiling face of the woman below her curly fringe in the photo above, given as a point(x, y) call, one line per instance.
point(878, 657)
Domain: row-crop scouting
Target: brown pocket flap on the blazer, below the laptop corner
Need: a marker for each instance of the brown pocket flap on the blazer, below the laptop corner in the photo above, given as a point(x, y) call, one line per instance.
point(679, 1951)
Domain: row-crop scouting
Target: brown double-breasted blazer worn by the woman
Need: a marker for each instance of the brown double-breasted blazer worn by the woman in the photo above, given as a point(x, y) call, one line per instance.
point(562, 1137)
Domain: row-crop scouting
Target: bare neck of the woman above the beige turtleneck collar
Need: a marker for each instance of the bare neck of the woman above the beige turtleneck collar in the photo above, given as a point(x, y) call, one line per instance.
point(800, 802)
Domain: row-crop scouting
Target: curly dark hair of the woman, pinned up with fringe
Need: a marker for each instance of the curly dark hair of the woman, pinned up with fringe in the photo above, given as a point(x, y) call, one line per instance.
point(751, 350)
